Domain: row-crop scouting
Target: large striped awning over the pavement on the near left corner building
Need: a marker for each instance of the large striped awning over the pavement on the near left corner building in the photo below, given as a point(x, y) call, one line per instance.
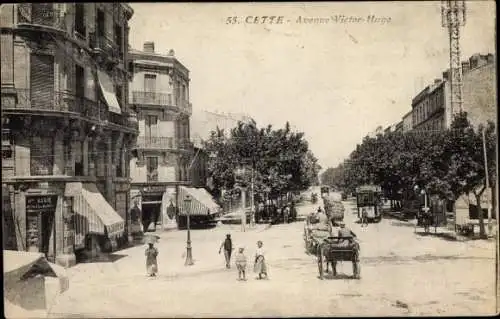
point(94, 214)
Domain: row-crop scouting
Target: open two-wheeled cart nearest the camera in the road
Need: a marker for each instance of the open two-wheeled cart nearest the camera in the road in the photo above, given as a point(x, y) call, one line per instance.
point(334, 249)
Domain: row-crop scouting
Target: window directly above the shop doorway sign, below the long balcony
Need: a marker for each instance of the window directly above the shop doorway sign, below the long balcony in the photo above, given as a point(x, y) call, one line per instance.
point(41, 155)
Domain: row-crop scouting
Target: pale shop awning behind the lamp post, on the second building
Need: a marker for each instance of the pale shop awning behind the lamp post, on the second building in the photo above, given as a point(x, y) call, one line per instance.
point(201, 201)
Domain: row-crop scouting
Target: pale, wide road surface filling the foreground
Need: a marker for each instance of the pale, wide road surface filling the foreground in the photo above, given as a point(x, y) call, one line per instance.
point(402, 273)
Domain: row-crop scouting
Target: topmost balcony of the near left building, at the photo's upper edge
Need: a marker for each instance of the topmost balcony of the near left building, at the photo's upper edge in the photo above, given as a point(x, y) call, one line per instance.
point(40, 16)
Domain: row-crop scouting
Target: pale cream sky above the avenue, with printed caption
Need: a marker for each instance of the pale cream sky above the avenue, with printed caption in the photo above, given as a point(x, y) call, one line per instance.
point(334, 81)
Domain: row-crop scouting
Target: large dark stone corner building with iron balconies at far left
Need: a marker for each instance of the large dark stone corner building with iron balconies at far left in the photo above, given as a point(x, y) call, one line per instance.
point(66, 127)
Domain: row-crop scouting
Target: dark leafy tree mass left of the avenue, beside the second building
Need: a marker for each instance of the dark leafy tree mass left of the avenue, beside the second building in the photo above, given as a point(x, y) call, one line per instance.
point(279, 159)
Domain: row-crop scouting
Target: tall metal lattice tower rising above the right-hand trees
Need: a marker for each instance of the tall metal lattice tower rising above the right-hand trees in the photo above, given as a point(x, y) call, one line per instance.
point(453, 16)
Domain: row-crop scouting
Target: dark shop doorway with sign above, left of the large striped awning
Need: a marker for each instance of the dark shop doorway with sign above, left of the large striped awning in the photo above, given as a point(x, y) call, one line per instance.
point(40, 225)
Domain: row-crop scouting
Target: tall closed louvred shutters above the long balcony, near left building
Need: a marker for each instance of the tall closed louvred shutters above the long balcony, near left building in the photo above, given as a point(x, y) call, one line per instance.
point(42, 81)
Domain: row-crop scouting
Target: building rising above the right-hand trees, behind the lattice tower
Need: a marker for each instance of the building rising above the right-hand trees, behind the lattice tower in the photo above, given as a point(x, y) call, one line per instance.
point(432, 106)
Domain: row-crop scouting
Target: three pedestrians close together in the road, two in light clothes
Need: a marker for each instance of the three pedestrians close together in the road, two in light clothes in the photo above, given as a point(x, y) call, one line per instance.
point(260, 266)
